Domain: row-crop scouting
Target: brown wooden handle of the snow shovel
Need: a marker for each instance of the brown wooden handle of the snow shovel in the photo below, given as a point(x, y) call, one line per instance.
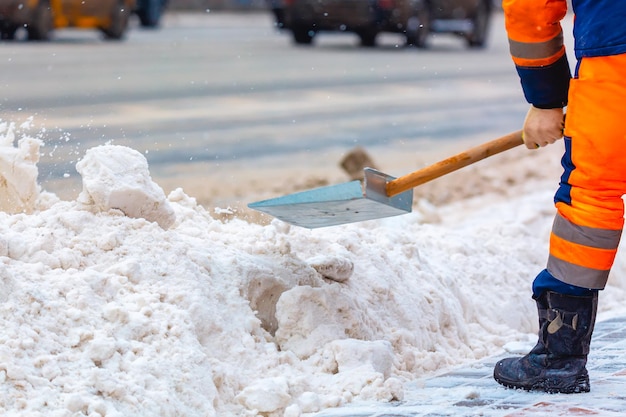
point(441, 168)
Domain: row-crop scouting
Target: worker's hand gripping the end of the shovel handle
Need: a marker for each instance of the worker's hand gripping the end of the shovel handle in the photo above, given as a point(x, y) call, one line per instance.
point(542, 127)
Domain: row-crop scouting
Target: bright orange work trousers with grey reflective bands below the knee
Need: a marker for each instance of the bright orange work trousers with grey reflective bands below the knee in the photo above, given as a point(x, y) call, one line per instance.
point(590, 209)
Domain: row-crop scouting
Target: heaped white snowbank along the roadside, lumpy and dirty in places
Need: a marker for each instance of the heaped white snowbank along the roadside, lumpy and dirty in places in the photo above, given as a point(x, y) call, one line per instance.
point(126, 301)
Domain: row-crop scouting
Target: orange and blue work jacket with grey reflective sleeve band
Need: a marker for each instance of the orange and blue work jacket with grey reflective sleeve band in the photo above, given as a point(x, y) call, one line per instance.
point(536, 42)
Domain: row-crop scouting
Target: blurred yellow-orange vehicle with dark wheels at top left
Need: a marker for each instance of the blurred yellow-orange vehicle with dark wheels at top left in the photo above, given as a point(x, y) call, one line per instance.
point(41, 17)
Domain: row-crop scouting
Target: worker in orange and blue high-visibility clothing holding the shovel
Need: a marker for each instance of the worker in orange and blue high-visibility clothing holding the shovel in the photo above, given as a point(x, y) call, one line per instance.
point(590, 210)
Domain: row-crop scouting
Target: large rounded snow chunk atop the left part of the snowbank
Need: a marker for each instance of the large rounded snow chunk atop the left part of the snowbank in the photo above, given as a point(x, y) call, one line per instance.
point(117, 177)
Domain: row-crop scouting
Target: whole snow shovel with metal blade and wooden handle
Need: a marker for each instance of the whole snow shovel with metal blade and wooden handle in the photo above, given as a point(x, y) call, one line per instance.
point(379, 196)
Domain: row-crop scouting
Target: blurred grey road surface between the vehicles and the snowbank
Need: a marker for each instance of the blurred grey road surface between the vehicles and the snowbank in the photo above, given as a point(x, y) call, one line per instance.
point(212, 95)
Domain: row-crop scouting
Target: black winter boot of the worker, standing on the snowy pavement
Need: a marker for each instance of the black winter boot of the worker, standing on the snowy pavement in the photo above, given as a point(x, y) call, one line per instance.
point(557, 363)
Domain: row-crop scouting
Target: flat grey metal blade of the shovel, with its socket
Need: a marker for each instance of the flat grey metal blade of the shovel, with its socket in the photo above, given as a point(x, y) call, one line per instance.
point(339, 204)
